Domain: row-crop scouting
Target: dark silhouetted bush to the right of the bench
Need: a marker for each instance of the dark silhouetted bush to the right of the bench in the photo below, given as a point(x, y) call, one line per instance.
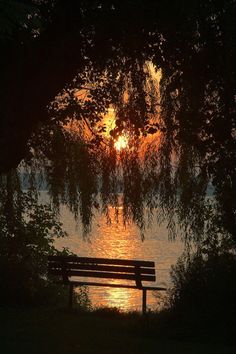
point(204, 285)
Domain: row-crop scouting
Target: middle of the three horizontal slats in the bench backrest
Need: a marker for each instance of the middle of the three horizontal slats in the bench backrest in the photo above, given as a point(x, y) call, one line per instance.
point(97, 267)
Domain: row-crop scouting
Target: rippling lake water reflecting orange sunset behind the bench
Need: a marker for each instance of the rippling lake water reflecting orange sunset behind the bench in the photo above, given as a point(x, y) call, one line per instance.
point(117, 241)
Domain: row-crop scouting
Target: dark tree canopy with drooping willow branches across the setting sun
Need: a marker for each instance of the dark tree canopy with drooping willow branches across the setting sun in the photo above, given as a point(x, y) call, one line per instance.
point(55, 49)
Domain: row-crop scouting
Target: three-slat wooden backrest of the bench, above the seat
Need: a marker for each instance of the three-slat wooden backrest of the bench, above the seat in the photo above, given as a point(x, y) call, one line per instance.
point(69, 266)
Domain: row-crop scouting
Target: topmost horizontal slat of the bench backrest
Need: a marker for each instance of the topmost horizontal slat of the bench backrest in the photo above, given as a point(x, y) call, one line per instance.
point(127, 262)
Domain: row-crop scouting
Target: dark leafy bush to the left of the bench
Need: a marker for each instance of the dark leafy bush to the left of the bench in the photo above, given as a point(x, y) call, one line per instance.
point(27, 234)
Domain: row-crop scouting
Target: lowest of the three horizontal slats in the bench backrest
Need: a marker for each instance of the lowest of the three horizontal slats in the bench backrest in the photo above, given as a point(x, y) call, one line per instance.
point(83, 273)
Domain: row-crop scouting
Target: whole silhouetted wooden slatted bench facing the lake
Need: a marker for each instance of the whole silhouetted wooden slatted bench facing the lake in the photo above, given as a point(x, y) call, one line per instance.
point(66, 268)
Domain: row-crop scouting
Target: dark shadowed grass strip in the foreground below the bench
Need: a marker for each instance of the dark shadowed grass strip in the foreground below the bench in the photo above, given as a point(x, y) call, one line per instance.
point(60, 331)
